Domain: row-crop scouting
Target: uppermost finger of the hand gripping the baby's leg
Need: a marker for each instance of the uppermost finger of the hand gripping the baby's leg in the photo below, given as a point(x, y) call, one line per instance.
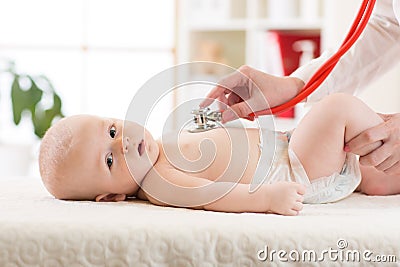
point(368, 136)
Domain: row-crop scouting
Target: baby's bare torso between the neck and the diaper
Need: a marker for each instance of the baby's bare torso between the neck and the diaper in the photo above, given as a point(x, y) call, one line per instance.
point(217, 155)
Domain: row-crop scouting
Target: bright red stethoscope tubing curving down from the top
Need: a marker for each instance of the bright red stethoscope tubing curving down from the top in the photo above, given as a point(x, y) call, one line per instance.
point(322, 73)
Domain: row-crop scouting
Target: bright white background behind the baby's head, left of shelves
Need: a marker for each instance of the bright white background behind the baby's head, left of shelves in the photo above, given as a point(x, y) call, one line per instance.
point(96, 54)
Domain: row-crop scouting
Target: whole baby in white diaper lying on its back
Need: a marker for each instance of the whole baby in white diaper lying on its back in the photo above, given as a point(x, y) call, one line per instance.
point(91, 158)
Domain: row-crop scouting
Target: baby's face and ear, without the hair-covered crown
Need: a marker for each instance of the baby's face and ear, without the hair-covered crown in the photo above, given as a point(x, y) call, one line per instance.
point(102, 148)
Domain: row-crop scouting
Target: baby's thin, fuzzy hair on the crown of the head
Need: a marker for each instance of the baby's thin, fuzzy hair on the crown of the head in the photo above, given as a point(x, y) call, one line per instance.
point(54, 149)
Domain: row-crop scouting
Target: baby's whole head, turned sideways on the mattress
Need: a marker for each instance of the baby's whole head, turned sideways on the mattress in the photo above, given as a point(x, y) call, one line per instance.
point(85, 157)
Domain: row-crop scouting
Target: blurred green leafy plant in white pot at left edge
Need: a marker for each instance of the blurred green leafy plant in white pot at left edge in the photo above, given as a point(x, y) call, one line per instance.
point(33, 99)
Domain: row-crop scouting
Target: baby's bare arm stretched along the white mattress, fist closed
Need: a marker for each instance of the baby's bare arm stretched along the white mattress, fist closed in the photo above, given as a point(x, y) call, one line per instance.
point(184, 190)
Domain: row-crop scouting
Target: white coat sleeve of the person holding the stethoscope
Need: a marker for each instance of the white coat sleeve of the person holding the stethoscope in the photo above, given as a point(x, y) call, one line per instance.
point(375, 52)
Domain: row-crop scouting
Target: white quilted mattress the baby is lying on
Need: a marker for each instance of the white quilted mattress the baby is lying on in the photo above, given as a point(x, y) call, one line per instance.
point(37, 230)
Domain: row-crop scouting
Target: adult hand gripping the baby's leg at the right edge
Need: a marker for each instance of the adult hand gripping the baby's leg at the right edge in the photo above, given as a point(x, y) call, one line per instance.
point(379, 146)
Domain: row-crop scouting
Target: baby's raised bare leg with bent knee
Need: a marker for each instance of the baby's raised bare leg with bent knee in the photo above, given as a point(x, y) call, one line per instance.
point(319, 139)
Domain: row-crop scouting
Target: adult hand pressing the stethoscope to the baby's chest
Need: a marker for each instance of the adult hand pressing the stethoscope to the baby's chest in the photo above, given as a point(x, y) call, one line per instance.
point(246, 90)
